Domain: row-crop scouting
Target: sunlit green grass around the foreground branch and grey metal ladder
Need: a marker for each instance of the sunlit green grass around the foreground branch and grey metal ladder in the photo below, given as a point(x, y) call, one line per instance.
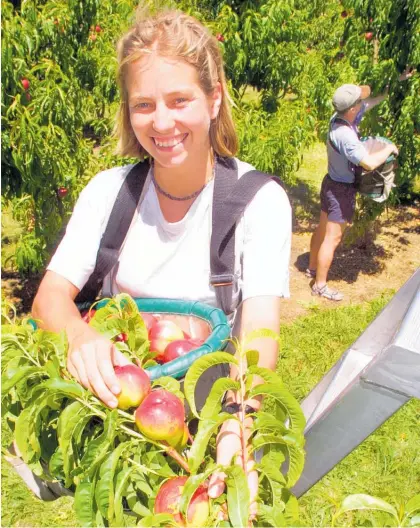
point(387, 464)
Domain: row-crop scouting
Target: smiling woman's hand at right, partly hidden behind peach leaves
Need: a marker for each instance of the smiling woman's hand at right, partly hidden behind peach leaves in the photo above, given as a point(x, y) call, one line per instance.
point(229, 446)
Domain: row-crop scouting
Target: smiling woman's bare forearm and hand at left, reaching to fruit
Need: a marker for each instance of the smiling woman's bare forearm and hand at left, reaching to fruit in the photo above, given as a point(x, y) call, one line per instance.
point(90, 357)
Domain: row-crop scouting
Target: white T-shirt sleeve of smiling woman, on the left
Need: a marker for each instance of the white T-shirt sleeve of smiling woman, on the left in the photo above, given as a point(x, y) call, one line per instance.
point(75, 257)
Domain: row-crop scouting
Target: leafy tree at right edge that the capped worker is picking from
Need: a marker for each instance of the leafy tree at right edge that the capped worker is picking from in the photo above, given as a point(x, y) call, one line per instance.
point(395, 45)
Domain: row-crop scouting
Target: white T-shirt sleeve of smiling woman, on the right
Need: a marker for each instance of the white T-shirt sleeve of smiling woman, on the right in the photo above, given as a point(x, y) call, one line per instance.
point(267, 243)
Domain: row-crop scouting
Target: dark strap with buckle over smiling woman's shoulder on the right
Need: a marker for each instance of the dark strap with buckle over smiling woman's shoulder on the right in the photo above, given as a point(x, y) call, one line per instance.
point(226, 213)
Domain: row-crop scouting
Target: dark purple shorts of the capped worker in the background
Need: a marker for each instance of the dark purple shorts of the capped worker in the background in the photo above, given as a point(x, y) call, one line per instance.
point(338, 200)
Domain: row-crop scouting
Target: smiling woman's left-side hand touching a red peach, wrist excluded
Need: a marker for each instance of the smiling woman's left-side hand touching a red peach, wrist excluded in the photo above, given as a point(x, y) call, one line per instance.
point(91, 359)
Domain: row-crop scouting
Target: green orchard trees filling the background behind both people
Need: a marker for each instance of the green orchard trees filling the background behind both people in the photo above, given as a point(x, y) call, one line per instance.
point(292, 53)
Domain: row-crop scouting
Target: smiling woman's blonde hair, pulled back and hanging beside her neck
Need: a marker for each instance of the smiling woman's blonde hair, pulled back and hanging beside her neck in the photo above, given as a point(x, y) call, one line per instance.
point(172, 33)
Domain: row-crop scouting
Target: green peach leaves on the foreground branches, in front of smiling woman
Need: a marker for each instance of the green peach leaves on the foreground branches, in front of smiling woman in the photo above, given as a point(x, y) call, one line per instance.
point(64, 432)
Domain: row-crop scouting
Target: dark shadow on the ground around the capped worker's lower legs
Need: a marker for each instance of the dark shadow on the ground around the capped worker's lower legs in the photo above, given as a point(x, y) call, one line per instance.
point(364, 256)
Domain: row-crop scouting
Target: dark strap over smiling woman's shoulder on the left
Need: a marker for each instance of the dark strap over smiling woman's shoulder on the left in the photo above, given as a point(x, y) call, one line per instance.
point(116, 230)
